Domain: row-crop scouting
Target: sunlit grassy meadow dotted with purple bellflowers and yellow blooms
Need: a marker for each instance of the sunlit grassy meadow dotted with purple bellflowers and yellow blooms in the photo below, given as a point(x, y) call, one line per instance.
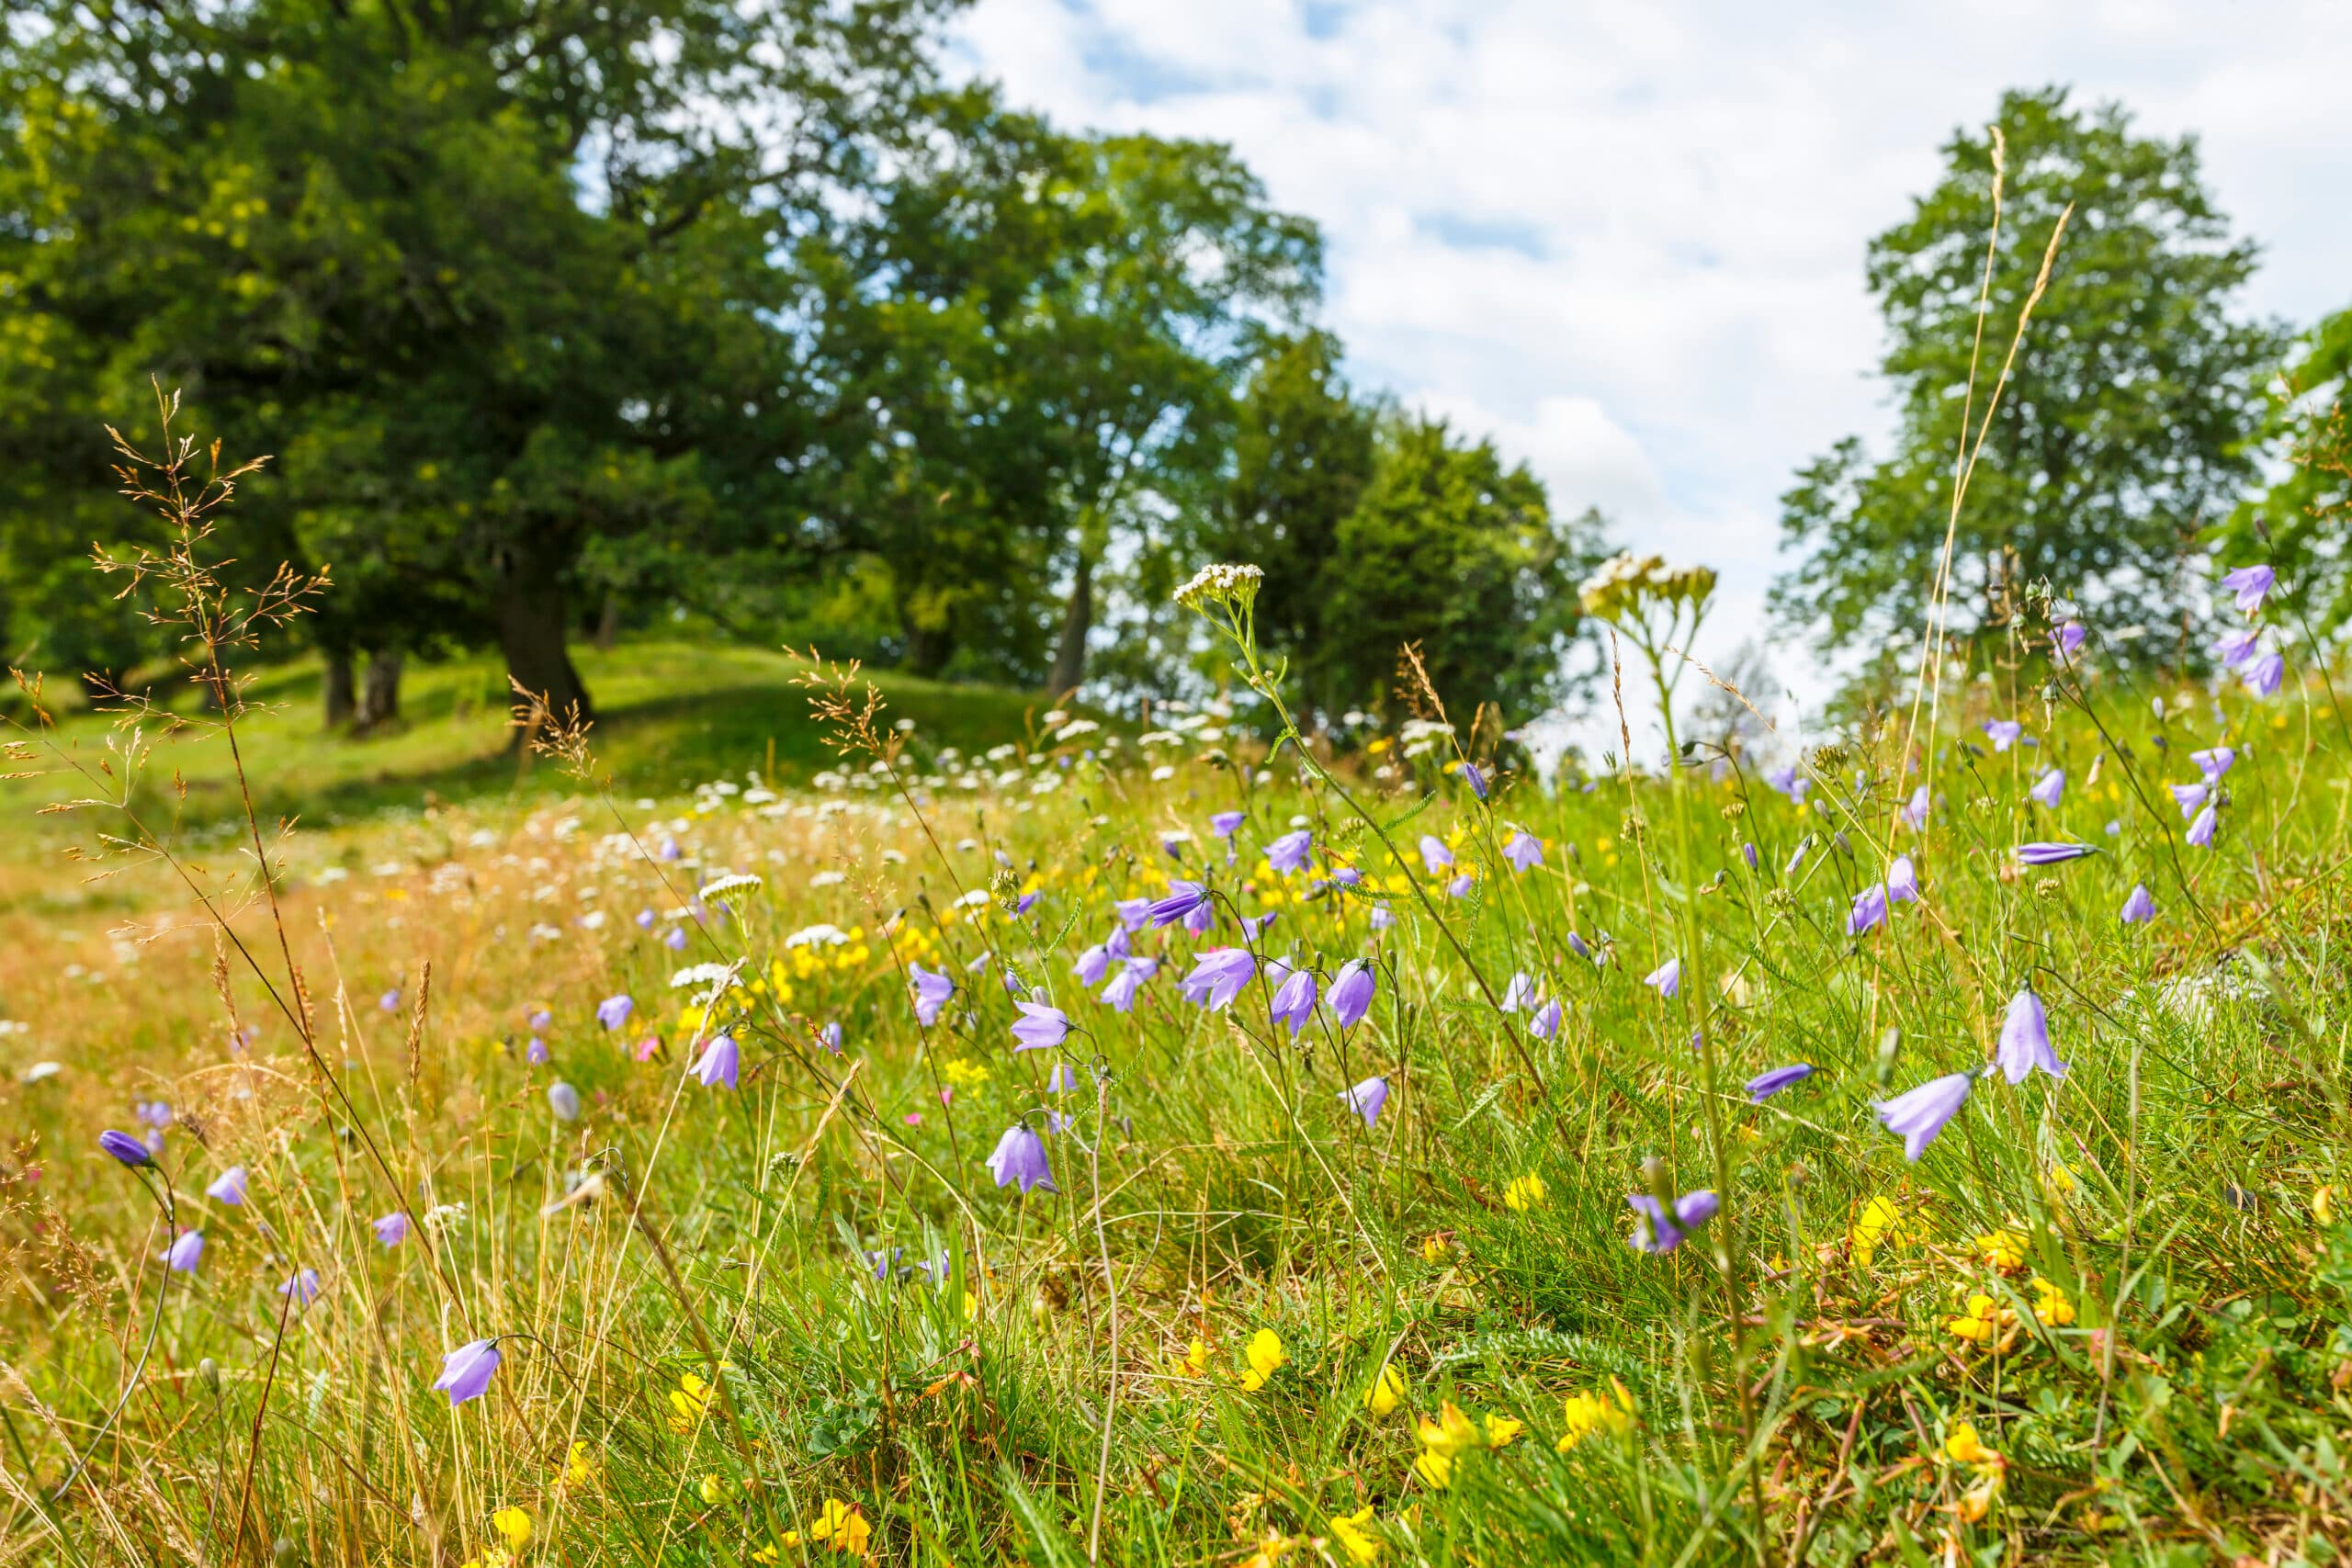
point(1034, 1139)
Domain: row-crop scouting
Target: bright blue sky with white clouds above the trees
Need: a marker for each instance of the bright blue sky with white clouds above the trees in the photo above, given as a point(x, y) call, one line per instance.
point(1626, 241)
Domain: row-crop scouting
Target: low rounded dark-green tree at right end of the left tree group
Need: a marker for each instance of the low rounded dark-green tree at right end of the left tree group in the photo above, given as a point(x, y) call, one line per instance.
point(1462, 556)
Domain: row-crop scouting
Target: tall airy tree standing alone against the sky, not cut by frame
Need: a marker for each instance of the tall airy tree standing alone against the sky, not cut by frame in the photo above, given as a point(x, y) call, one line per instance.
point(2123, 427)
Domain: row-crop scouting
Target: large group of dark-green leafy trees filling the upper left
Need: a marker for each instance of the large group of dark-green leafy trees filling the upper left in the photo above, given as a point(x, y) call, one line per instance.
point(566, 321)
